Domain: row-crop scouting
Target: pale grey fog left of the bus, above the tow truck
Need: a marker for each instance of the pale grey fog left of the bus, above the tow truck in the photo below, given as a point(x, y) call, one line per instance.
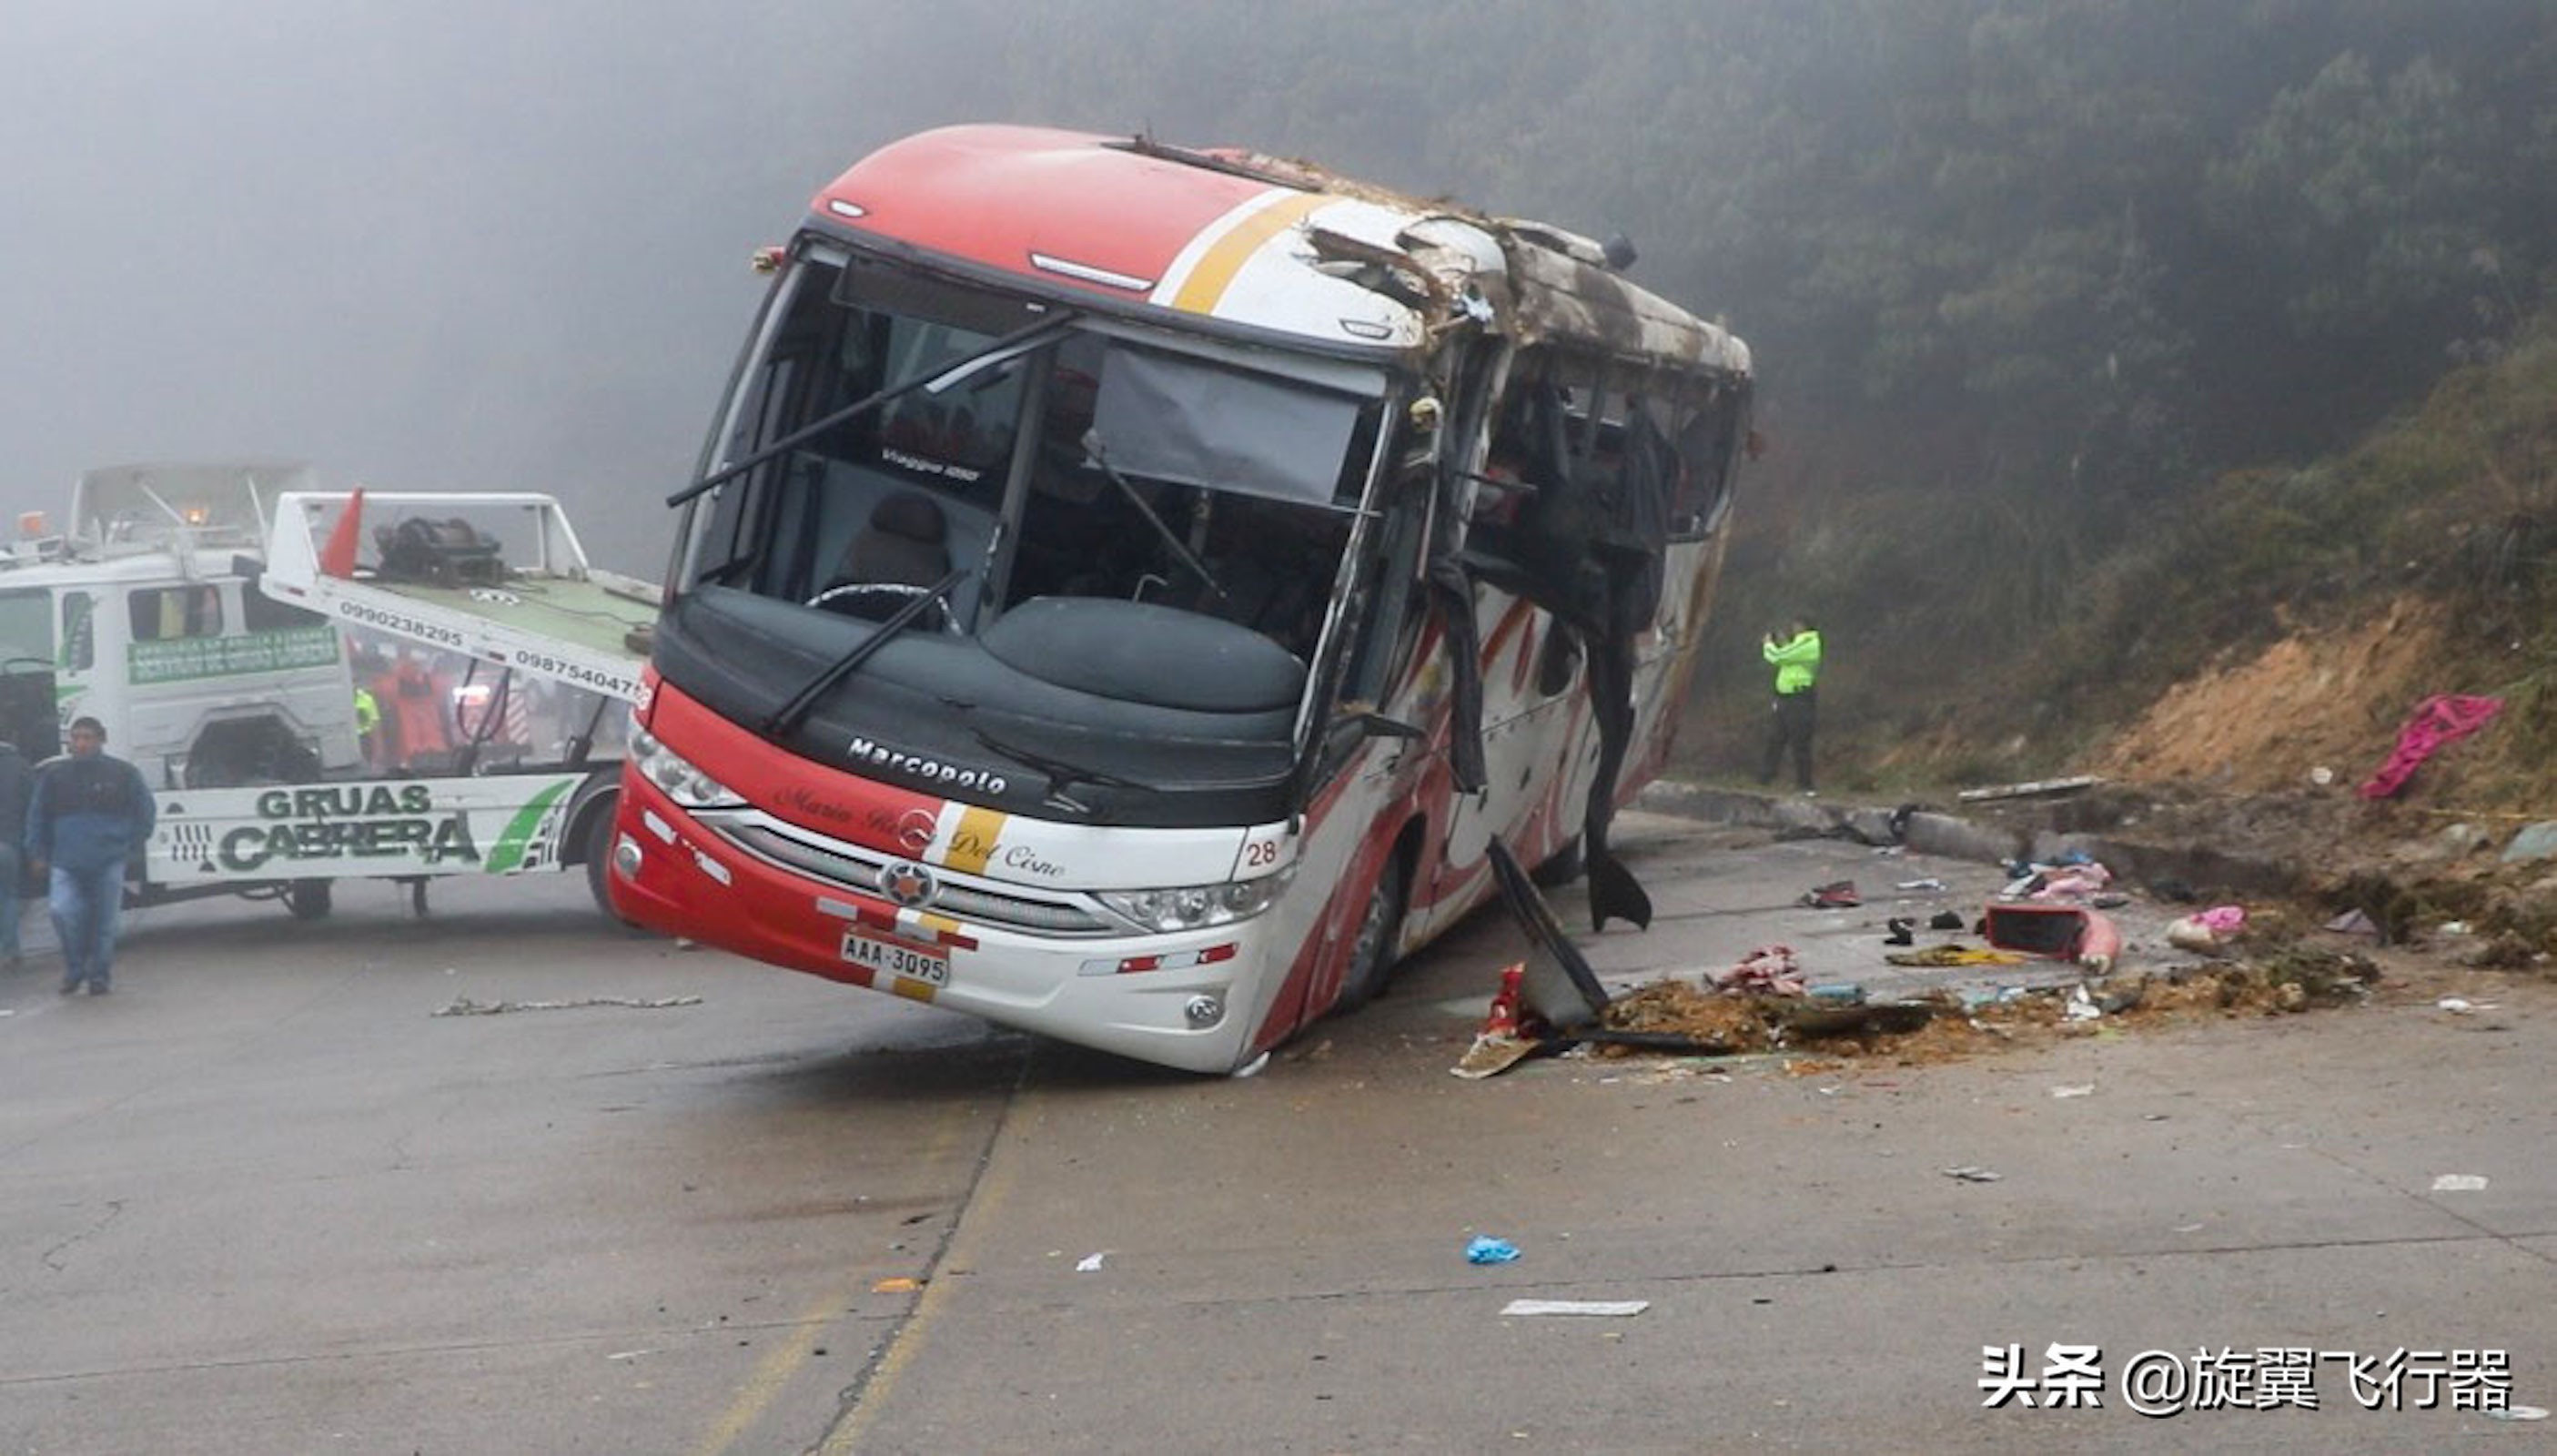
point(423, 247)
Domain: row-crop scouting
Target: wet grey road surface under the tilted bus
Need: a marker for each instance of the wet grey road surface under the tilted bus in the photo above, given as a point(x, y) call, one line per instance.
point(265, 1199)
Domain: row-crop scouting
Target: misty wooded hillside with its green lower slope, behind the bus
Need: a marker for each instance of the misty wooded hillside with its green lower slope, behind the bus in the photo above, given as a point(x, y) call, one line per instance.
point(2055, 303)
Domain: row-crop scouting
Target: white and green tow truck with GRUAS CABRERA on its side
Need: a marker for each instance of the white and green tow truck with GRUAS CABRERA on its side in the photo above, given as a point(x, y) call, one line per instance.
point(208, 615)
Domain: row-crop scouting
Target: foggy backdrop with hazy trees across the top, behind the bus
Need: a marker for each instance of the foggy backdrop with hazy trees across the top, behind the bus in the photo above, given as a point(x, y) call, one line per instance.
point(2065, 252)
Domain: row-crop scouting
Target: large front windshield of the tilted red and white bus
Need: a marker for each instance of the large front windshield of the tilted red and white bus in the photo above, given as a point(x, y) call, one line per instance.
point(1142, 534)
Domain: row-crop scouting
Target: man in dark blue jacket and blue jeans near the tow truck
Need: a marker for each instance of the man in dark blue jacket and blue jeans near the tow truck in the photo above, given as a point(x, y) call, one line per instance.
point(86, 820)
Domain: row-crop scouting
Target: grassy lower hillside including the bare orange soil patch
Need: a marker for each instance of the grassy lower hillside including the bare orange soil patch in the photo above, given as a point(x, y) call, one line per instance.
point(2236, 633)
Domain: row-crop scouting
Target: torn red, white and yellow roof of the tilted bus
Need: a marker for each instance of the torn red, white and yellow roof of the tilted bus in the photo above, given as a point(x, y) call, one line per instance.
point(1249, 242)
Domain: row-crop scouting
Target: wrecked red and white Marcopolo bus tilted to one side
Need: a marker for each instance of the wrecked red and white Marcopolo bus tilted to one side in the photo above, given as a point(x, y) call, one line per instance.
point(1129, 590)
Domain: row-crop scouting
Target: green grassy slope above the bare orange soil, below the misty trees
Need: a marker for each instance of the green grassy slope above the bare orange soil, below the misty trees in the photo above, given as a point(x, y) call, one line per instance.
point(2034, 636)
